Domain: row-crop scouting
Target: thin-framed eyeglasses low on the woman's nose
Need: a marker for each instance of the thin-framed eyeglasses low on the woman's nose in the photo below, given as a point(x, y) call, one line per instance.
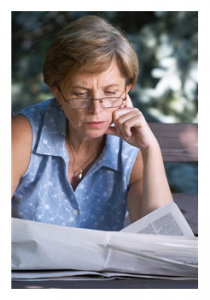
point(107, 102)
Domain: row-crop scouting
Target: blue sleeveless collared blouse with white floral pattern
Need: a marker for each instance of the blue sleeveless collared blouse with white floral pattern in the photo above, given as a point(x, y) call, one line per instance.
point(44, 193)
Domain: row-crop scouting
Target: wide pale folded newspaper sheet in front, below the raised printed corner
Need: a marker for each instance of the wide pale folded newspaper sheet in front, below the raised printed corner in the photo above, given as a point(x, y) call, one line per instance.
point(41, 246)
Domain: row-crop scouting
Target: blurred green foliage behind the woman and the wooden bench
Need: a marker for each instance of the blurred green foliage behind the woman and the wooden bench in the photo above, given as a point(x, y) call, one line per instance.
point(167, 46)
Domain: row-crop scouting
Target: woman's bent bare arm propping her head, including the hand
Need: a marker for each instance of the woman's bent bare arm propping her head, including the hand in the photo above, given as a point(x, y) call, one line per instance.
point(149, 188)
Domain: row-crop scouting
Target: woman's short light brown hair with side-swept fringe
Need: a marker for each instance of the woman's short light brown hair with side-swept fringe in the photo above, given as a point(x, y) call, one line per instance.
point(89, 45)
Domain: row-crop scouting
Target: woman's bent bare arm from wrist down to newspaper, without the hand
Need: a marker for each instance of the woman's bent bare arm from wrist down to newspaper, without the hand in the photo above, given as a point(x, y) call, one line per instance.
point(149, 188)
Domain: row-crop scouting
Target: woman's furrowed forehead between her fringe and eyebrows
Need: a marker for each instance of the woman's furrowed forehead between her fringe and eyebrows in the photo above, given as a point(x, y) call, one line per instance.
point(111, 76)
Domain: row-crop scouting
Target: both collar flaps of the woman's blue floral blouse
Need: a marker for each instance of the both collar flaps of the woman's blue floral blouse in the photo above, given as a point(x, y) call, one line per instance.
point(52, 140)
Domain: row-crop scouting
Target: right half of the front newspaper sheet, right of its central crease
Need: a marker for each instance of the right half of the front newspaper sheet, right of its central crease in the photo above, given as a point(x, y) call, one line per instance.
point(153, 254)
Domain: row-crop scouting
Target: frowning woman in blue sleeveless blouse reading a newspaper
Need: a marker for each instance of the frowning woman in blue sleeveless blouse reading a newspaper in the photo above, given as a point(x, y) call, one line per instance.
point(82, 157)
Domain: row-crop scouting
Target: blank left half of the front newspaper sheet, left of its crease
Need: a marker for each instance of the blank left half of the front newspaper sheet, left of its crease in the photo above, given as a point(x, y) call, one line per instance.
point(41, 246)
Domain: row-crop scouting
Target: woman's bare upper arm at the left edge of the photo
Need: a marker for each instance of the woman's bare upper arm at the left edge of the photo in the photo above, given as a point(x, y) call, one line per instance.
point(21, 148)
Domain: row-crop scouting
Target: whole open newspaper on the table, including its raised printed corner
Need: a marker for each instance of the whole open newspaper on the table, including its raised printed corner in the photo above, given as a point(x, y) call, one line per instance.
point(159, 244)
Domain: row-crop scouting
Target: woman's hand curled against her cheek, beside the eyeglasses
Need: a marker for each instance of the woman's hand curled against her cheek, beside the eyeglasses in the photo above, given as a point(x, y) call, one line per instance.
point(131, 126)
